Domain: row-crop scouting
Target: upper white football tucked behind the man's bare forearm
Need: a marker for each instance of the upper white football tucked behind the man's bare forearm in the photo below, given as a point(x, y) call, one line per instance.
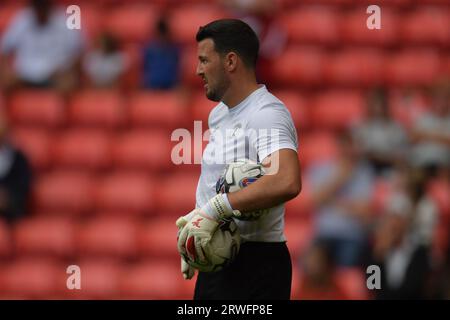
point(238, 175)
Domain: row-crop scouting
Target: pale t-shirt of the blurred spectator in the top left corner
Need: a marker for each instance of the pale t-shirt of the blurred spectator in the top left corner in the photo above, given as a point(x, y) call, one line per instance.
point(40, 51)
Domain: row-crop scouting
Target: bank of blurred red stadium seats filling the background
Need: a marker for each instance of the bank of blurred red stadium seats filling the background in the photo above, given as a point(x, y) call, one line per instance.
point(106, 194)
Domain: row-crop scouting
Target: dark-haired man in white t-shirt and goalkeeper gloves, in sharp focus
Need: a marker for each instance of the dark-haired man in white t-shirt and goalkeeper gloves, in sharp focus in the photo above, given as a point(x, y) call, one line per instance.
point(248, 123)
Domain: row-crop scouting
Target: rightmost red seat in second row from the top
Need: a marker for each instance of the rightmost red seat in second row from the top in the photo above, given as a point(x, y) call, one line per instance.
point(413, 68)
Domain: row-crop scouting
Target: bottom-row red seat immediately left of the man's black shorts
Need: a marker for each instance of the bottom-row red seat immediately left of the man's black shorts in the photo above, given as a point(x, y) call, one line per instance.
point(152, 280)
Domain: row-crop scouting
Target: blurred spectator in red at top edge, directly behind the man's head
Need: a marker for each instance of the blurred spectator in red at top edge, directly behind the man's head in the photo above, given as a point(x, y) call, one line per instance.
point(261, 16)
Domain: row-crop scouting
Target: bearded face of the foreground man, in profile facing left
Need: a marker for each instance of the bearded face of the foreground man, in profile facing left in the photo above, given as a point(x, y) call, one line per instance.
point(211, 69)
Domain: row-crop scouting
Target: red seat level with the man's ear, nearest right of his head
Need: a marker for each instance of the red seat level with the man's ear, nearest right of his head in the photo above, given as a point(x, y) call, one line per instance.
point(300, 66)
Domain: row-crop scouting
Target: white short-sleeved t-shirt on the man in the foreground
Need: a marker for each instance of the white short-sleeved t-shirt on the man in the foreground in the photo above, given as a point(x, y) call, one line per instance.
point(254, 129)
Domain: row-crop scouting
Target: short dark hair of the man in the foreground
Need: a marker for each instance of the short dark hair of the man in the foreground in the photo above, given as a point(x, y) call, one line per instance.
point(232, 35)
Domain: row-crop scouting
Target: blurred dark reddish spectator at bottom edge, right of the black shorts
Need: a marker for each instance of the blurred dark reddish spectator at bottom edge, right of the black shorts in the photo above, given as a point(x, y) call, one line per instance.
point(318, 280)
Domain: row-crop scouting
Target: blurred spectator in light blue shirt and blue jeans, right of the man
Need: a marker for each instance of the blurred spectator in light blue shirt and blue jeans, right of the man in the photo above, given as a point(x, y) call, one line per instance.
point(341, 192)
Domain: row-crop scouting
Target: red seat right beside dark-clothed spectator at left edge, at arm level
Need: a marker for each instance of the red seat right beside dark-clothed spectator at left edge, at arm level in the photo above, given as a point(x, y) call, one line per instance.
point(70, 192)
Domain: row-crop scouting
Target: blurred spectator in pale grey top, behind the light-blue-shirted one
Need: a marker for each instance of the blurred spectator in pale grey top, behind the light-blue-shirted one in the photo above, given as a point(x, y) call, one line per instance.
point(381, 139)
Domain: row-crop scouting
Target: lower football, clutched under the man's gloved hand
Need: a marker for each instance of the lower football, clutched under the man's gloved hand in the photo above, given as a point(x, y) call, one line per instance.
point(222, 248)
